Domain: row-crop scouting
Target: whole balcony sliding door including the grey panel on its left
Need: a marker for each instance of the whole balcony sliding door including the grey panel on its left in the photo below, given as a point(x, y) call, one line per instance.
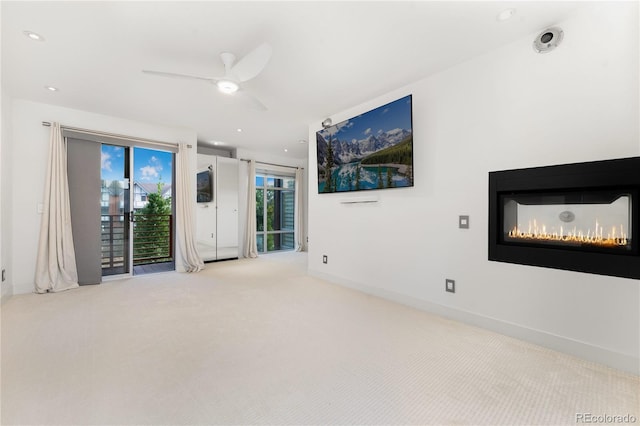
point(120, 192)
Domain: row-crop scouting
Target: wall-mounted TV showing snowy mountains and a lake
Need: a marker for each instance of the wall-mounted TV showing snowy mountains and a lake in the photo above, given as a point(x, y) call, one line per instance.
point(371, 151)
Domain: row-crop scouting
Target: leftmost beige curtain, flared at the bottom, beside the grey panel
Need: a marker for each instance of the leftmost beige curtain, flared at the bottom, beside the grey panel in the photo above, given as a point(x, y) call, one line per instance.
point(56, 262)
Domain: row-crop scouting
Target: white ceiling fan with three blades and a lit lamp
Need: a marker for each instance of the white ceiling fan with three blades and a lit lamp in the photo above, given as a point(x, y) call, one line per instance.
point(245, 69)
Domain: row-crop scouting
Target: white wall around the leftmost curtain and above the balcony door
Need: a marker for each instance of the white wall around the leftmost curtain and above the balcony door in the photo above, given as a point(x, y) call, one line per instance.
point(29, 145)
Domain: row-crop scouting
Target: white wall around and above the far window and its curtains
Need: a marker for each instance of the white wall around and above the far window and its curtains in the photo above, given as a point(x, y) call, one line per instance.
point(244, 183)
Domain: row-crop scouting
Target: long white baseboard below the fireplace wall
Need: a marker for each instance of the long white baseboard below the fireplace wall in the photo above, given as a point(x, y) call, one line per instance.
point(619, 361)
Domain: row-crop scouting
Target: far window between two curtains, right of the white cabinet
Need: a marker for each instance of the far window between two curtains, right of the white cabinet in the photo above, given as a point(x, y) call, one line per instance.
point(275, 201)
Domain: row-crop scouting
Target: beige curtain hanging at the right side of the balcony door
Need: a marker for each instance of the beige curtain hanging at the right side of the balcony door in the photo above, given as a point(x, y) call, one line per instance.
point(185, 222)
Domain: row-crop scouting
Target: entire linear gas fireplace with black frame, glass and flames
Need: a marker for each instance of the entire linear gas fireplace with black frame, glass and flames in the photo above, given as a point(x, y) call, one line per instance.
point(579, 217)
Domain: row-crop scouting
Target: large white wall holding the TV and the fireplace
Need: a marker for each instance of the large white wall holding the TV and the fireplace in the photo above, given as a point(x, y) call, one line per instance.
point(510, 108)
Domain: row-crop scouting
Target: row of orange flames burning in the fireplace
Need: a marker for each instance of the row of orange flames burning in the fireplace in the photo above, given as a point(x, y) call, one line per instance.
point(614, 237)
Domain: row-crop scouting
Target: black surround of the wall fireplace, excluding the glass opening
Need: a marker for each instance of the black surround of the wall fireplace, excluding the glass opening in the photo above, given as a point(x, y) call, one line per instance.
point(621, 173)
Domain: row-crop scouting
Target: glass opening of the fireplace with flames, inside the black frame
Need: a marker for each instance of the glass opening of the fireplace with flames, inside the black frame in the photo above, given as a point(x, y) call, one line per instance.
point(582, 220)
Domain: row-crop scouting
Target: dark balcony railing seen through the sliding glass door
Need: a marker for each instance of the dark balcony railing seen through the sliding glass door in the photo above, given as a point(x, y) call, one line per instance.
point(152, 240)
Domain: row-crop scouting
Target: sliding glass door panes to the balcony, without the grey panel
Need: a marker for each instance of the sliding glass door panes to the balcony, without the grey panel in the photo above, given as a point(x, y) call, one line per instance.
point(136, 214)
